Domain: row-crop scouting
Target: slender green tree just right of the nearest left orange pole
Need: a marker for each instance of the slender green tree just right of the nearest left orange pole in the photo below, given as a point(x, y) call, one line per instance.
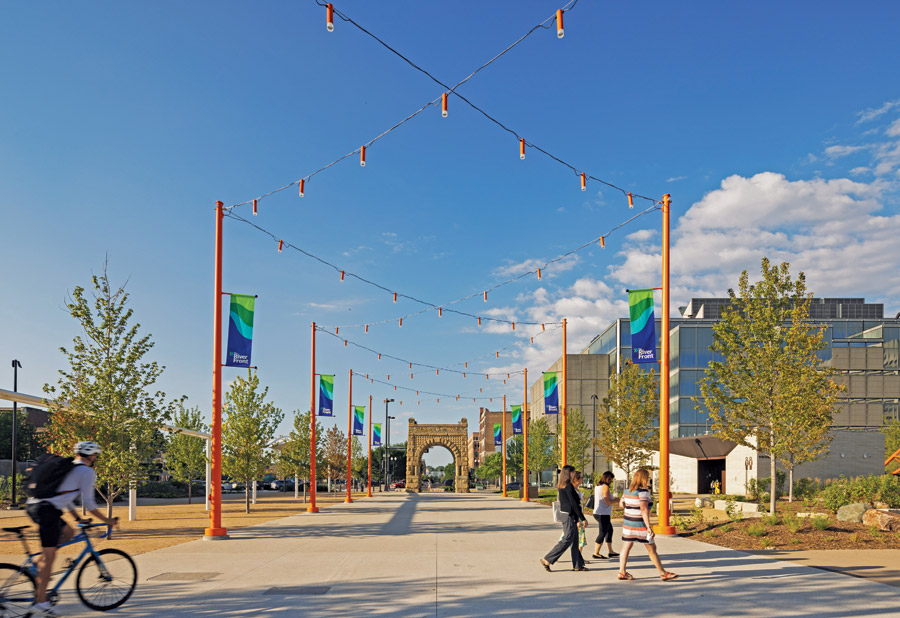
point(248, 426)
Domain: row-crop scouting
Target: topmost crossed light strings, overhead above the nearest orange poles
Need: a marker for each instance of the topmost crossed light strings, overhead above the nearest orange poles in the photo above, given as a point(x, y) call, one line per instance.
point(584, 176)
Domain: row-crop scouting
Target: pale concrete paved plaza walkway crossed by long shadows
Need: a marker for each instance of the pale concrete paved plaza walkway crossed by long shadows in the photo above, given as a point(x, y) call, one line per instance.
point(474, 554)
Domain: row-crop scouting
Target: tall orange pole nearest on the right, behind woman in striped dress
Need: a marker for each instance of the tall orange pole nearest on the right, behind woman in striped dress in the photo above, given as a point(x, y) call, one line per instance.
point(663, 526)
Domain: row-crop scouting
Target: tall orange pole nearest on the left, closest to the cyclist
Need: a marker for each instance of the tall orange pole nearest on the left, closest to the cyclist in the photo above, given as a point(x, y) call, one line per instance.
point(215, 530)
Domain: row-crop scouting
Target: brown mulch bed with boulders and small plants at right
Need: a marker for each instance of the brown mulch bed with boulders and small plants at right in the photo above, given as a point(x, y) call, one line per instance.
point(770, 535)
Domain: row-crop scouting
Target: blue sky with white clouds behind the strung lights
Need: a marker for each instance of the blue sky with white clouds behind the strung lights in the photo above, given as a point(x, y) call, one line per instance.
point(775, 127)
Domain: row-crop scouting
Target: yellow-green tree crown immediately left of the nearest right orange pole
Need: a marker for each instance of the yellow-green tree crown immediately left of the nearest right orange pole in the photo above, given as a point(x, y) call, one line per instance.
point(626, 418)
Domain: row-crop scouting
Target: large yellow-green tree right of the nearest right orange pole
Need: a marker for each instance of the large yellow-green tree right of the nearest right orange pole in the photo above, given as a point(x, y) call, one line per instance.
point(769, 392)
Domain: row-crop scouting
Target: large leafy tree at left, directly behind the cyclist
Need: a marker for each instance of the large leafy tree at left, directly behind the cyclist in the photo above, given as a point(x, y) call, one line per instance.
point(106, 390)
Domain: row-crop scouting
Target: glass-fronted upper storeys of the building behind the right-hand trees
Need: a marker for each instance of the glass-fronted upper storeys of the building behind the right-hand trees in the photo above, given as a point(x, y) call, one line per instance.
point(862, 345)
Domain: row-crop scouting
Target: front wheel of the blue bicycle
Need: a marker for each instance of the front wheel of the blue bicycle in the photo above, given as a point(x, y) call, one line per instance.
point(106, 584)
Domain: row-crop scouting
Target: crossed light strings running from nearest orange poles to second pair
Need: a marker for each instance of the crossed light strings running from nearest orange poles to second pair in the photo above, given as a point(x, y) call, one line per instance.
point(440, 308)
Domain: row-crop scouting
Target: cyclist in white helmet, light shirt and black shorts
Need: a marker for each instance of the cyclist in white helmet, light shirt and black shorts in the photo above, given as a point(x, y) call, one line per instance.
point(47, 513)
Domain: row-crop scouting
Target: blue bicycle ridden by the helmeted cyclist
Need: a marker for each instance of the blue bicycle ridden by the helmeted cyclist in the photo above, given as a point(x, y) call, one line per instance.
point(105, 580)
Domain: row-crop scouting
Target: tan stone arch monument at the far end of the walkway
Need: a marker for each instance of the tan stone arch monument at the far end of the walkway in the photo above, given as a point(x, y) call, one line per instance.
point(422, 437)
